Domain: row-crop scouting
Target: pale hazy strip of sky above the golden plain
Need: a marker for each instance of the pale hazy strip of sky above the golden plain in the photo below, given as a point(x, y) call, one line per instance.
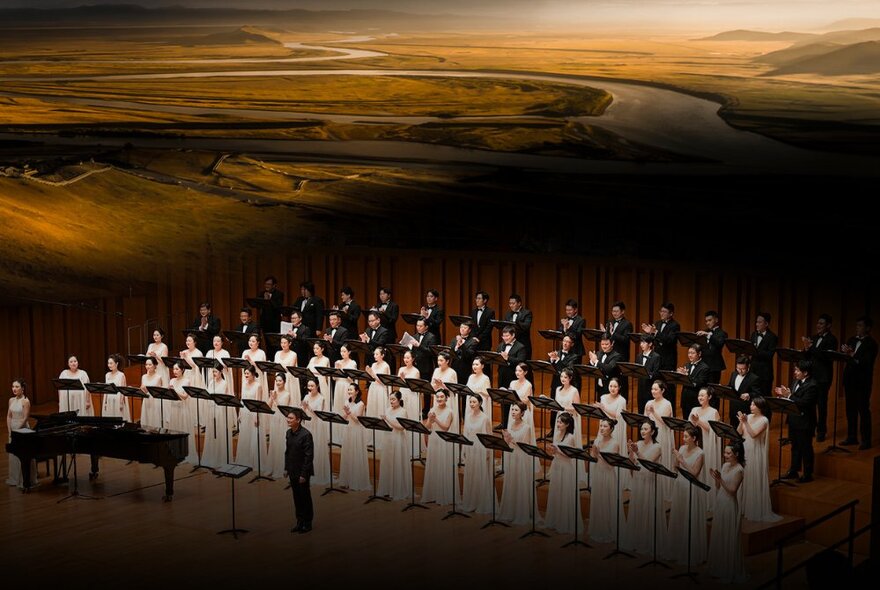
point(722, 14)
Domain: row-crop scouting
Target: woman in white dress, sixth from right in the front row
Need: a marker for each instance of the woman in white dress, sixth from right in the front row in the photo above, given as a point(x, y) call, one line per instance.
point(519, 475)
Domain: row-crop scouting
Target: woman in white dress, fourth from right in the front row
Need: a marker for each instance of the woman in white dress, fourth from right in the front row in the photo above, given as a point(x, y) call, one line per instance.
point(604, 495)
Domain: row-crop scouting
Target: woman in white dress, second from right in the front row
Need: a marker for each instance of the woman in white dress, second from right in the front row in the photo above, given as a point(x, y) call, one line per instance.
point(688, 457)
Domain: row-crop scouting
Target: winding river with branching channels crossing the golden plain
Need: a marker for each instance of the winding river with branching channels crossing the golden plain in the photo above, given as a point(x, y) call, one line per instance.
point(653, 116)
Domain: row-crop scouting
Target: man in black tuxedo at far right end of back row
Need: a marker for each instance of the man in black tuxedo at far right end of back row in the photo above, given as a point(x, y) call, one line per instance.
point(858, 378)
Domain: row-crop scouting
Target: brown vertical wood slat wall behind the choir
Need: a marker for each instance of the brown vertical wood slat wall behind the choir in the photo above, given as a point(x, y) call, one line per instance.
point(37, 338)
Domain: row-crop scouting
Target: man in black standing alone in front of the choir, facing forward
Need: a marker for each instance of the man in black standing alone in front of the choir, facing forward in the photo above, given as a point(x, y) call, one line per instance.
point(299, 457)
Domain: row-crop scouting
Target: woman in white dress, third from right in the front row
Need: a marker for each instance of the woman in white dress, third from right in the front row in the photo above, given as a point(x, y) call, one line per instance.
point(646, 512)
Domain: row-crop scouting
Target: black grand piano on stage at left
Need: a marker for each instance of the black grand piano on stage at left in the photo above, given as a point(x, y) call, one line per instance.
point(66, 433)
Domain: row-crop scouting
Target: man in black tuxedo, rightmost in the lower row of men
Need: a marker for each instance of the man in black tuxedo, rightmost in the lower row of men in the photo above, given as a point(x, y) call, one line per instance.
point(801, 426)
